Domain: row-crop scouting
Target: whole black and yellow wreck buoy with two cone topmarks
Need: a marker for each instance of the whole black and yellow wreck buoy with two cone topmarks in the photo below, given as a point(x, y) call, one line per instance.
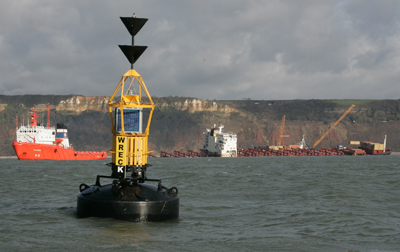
point(129, 197)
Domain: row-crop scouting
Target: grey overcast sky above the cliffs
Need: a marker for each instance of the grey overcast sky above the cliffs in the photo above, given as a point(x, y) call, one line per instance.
point(210, 49)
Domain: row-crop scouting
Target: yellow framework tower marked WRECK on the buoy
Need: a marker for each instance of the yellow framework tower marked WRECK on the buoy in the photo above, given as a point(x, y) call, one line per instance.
point(130, 140)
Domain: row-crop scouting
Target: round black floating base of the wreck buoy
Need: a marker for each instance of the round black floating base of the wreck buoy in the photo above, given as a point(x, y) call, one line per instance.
point(141, 202)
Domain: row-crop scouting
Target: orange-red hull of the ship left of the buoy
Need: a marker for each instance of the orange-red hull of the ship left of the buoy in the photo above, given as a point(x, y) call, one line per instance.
point(34, 151)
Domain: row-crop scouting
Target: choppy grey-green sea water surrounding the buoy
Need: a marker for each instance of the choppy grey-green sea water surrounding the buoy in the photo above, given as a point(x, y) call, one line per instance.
point(349, 203)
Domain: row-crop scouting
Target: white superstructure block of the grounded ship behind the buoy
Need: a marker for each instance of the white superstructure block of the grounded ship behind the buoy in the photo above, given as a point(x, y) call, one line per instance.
point(219, 143)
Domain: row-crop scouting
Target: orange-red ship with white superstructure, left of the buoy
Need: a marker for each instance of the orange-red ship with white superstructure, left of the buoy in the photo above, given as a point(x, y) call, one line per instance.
point(37, 142)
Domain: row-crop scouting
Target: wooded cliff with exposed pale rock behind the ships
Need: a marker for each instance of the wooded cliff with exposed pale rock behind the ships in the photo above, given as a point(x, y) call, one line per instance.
point(178, 122)
